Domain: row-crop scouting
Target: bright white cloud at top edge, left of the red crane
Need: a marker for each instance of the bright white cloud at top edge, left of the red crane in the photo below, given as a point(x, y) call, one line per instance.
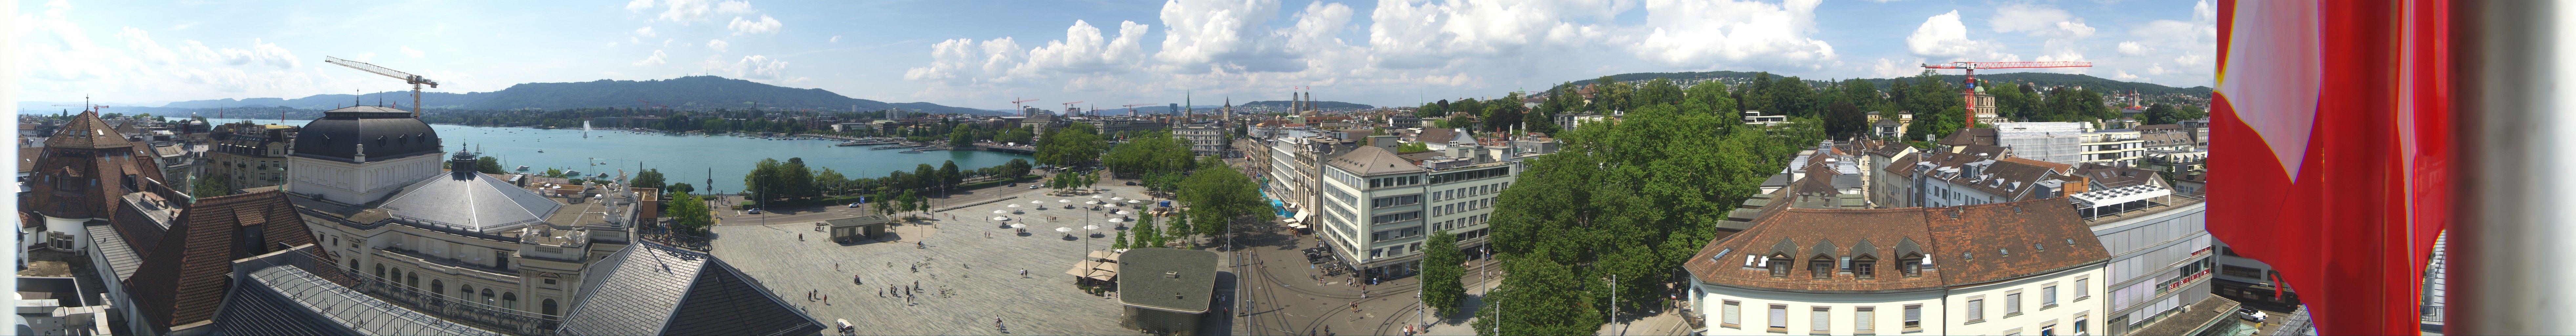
point(1701, 32)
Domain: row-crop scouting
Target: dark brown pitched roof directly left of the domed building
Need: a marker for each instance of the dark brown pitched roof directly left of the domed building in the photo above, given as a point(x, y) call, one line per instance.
point(187, 273)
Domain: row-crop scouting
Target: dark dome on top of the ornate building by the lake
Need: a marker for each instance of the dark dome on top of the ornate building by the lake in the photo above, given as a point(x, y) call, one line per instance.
point(385, 133)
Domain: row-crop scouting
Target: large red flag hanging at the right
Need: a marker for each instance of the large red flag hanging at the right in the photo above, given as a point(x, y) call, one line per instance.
point(2333, 151)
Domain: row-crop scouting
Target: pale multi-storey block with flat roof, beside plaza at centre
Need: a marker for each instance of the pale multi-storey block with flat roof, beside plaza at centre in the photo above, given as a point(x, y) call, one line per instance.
point(1377, 208)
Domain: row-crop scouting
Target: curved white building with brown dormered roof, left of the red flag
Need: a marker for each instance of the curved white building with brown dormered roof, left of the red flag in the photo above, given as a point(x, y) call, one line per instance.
point(2023, 268)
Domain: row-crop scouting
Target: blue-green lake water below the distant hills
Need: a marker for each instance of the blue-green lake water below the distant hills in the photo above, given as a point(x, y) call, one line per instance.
point(681, 159)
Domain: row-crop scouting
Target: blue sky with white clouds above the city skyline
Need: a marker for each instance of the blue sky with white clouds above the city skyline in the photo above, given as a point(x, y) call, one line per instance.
point(1106, 53)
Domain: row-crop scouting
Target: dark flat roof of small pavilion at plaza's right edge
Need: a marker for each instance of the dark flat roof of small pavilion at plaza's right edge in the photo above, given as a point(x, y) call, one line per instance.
point(1150, 273)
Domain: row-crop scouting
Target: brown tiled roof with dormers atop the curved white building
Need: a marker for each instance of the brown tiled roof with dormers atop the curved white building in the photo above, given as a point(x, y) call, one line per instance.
point(1941, 234)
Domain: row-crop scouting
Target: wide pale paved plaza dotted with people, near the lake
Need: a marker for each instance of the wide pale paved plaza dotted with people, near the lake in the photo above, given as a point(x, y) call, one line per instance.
point(970, 270)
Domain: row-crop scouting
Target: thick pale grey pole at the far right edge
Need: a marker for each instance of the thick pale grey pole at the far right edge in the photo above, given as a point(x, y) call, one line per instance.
point(2513, 141)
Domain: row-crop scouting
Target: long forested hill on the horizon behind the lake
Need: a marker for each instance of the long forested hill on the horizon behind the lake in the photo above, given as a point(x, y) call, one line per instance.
point(697, 92)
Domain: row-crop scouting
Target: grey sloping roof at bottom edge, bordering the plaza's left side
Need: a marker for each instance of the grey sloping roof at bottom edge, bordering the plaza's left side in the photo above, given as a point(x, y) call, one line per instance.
point(658, 291)
